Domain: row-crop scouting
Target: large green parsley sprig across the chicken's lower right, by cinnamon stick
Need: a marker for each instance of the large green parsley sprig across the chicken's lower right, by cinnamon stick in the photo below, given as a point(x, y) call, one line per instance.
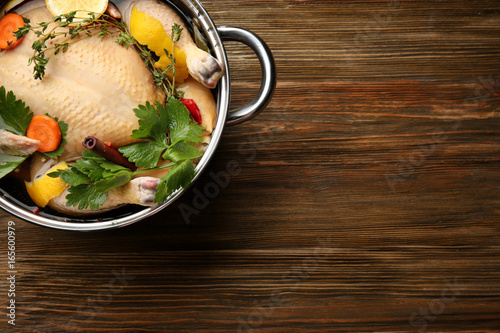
point(170, 134)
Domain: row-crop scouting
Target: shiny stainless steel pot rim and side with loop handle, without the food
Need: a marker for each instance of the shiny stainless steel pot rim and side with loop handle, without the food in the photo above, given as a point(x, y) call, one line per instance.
point(195, 14)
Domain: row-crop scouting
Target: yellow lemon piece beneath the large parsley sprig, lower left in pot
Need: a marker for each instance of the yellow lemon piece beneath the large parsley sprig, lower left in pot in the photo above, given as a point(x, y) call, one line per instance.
point(46, 188)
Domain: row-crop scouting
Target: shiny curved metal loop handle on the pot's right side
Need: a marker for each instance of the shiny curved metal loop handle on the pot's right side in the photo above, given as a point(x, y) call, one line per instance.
point(268, 68)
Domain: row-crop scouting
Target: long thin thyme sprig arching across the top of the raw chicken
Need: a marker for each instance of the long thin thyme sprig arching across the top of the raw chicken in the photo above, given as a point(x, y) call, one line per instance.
point(63, 30)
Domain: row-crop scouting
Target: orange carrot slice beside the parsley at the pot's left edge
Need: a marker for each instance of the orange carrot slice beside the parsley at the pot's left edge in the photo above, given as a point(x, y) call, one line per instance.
point(47, 131)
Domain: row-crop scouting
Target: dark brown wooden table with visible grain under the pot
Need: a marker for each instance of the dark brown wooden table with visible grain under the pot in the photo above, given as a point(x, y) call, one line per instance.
point(367, 197)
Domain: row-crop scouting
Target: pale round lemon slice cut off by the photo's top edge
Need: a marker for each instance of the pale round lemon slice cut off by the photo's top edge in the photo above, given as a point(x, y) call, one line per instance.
point(82, 7)
